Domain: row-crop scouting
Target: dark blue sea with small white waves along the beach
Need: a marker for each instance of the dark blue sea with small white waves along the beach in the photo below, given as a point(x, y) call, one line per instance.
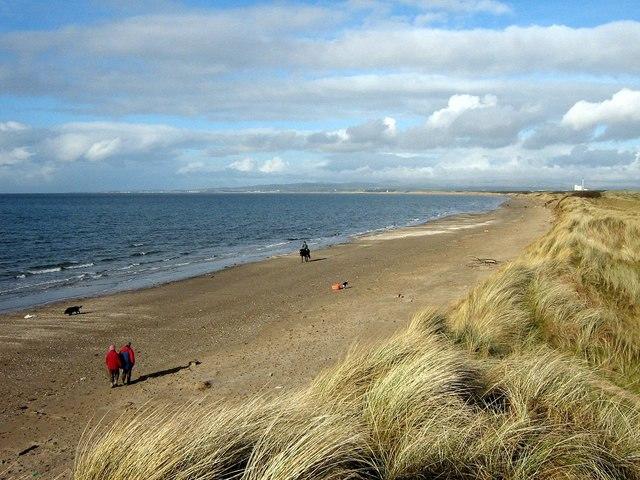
point(61, 246)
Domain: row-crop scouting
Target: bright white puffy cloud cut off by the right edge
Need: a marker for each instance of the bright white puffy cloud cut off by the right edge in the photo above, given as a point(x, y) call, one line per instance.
point(623, 106)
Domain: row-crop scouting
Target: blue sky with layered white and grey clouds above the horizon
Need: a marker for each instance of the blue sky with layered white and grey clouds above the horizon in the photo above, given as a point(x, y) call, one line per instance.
point(118, 95)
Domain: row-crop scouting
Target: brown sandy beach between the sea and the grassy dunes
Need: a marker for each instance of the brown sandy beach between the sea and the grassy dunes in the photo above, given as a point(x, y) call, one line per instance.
point(266, 327)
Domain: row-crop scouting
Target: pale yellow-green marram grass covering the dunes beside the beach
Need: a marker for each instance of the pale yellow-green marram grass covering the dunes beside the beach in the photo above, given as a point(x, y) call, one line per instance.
point(534, 375)
